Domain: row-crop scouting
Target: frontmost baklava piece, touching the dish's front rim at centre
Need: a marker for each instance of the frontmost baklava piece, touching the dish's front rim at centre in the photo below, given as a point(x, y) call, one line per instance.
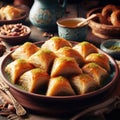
point(59, 86)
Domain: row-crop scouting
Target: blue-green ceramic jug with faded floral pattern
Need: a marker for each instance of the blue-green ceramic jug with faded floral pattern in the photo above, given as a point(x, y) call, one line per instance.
point(45, 13)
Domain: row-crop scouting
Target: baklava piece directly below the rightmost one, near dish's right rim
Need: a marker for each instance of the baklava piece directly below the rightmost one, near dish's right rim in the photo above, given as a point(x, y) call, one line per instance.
point(97, 72)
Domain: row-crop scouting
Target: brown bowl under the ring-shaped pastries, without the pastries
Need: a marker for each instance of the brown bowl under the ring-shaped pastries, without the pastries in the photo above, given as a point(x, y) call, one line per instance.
point(103, 31)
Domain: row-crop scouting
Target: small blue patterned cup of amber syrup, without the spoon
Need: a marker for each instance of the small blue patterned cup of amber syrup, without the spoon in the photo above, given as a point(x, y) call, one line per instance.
point(68, 30)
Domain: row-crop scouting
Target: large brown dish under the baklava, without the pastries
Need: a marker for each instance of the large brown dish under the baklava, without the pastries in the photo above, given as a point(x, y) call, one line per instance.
point(60, 105)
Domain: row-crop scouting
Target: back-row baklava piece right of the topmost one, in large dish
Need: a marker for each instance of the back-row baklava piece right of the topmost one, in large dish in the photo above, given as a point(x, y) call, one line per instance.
point(85, 48)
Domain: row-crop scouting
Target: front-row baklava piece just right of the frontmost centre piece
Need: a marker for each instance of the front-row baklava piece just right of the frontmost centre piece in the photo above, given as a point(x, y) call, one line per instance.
point(84, 83)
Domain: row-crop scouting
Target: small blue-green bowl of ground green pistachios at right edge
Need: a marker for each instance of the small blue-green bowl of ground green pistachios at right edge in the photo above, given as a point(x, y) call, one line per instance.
point(112, 47)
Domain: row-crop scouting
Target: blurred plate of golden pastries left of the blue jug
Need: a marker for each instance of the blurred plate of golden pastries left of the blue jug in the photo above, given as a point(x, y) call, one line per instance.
point(11, 14)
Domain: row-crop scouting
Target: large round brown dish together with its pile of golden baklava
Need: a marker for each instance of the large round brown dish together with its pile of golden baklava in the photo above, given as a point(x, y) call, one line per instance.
point(59, 74)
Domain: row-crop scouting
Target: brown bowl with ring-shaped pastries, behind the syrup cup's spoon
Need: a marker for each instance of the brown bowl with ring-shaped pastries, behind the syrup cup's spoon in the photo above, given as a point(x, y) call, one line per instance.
point(107, 23)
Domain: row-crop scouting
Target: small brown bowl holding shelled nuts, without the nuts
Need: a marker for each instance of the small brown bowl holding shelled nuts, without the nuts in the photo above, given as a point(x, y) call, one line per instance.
point(15, 39)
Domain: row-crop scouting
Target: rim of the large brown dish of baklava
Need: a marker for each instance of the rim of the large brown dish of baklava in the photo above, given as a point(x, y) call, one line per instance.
point(87, 95)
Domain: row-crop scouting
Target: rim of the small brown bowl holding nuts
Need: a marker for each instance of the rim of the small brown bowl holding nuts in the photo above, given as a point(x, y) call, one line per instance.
point(10, 37)
